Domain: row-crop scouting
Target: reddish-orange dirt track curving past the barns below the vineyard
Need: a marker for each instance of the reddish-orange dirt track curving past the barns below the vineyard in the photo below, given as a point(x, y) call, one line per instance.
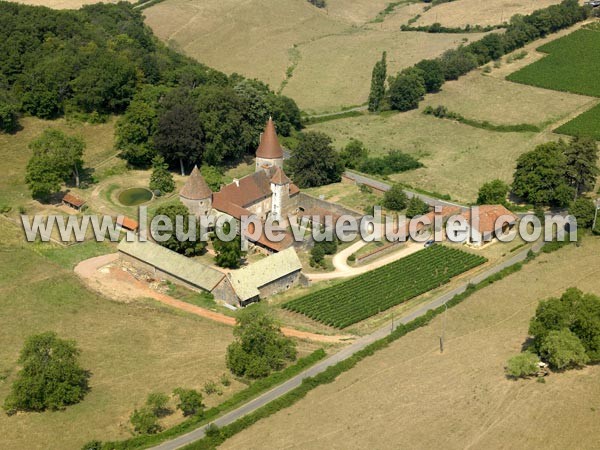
point(102, 275)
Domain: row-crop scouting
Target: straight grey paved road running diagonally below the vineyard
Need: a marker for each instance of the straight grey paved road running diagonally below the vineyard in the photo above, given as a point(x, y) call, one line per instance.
point(342, 355)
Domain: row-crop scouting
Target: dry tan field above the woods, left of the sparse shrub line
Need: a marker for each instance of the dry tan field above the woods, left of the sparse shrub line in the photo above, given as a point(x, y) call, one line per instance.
point(251, 37)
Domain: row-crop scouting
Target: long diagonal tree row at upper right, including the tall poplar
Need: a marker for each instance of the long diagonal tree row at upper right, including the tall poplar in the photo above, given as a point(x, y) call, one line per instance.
point(406, 89)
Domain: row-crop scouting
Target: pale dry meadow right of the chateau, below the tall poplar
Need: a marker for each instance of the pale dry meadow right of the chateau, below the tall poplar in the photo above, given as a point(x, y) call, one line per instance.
point(458, 158)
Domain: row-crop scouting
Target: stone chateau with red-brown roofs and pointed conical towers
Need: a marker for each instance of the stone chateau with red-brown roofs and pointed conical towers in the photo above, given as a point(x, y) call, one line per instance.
point(267, 193)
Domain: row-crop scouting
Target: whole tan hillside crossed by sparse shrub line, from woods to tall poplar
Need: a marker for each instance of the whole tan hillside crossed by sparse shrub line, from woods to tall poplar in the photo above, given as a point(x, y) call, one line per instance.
point(321, 58)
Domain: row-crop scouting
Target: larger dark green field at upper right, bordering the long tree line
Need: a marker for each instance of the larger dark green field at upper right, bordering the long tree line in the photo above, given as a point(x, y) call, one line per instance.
point(572, 65)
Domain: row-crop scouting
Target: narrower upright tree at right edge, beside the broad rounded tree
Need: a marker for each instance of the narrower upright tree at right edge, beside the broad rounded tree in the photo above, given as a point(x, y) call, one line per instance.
point(582, 164)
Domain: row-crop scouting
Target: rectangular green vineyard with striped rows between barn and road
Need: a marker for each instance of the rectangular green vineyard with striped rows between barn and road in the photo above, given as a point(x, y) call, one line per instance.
point(368, 294)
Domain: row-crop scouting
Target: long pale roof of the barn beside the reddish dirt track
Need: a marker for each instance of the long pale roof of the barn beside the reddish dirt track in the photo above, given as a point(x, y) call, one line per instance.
point(168, 261)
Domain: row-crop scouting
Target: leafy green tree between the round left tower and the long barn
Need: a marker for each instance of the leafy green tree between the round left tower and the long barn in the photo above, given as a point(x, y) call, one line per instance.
point(194, 245)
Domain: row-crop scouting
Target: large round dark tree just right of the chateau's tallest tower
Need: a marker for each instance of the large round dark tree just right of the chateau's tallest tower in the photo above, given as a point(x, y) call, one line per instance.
point(314, 162)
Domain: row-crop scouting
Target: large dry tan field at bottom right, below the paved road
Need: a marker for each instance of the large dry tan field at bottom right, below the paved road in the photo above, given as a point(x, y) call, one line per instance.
point(411, 395)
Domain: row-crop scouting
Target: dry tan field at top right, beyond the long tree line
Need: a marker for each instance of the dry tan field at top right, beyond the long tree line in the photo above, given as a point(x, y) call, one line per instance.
point(460, 13)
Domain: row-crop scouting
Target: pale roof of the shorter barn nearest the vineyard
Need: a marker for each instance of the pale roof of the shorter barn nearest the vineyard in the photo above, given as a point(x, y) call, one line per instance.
point(247, 280)
